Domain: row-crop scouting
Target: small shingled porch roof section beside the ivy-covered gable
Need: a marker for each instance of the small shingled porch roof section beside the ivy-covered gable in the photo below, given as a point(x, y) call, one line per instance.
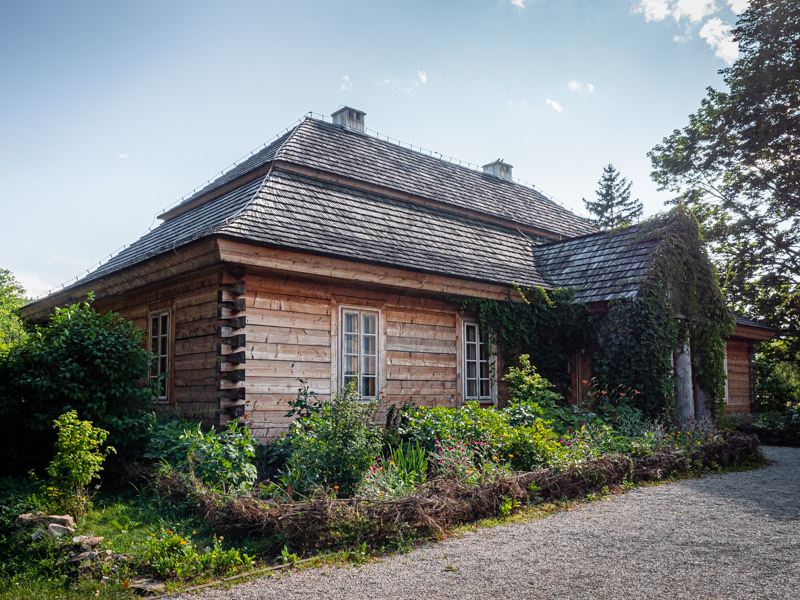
point(598, 267)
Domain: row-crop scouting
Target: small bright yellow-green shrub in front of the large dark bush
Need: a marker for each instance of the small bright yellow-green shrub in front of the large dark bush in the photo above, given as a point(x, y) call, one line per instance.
point(78, 460)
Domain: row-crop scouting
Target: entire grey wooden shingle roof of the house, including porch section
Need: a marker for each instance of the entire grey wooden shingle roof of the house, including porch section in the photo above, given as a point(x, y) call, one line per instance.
point(326, 190)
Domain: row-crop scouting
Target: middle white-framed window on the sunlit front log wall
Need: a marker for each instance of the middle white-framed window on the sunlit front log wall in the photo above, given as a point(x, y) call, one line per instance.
point(359, 350)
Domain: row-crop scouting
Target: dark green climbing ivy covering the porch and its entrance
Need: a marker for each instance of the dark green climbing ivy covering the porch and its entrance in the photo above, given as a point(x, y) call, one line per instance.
point(633, 341)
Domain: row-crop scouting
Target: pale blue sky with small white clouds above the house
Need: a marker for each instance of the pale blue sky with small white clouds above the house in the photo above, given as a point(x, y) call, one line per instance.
point(112, 111)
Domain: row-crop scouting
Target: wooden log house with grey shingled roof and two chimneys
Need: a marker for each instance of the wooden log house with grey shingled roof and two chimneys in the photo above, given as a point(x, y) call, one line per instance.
point(330, 255)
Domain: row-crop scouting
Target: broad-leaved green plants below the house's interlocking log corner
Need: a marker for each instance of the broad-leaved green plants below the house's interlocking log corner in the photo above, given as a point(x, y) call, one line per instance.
point(221, 461)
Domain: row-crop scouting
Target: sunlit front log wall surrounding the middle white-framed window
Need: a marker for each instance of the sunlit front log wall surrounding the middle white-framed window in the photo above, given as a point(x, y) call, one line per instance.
point(292, 332)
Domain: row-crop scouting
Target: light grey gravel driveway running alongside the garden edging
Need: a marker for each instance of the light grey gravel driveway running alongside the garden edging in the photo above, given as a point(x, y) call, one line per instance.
point(725, 536)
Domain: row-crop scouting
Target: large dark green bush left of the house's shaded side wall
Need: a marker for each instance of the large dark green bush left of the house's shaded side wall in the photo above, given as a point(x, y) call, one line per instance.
point(81, 360)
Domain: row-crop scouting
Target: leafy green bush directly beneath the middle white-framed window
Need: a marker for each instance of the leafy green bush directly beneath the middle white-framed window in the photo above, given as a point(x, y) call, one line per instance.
point(333, 447)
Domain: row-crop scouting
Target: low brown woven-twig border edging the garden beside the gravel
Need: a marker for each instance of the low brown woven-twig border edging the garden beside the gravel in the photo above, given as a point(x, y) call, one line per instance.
point(323, 522)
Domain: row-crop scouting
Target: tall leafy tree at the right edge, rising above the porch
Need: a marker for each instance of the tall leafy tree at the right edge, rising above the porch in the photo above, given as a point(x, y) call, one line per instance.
point(737, 165)
